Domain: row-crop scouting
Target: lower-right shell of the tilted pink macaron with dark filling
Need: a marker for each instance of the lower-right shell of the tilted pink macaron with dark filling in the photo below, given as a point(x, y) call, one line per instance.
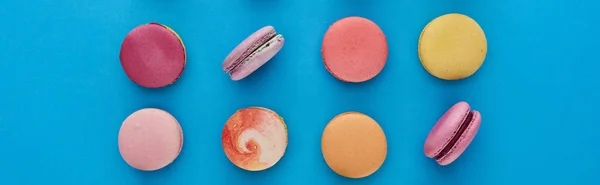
point(463, 142)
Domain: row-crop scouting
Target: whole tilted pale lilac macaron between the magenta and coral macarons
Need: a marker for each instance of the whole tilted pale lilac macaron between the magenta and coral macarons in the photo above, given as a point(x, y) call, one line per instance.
point(252, 53)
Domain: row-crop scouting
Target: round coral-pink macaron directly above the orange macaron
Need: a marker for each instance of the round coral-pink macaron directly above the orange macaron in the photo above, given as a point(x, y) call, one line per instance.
point(354, 49)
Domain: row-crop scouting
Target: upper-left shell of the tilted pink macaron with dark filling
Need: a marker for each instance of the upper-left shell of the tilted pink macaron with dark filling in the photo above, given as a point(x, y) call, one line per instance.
point(445, 129)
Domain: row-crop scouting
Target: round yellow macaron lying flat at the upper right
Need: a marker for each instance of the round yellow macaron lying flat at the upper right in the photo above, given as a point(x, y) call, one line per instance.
point(452, 47)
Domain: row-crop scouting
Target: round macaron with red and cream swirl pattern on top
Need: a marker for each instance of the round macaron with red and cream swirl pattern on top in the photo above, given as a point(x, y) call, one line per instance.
point(254, 138)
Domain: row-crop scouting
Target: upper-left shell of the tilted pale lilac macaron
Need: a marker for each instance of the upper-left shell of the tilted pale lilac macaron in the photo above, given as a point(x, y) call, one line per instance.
point(249, 42)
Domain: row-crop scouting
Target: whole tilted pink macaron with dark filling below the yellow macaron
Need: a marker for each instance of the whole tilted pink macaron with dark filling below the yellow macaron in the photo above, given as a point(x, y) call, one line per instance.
point(452, 133)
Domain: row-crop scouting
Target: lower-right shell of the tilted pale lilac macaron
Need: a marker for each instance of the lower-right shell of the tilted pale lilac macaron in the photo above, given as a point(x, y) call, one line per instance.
point(259, 58)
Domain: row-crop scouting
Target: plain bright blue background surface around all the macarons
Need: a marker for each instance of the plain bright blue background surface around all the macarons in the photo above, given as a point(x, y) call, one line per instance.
point(64, 93)
